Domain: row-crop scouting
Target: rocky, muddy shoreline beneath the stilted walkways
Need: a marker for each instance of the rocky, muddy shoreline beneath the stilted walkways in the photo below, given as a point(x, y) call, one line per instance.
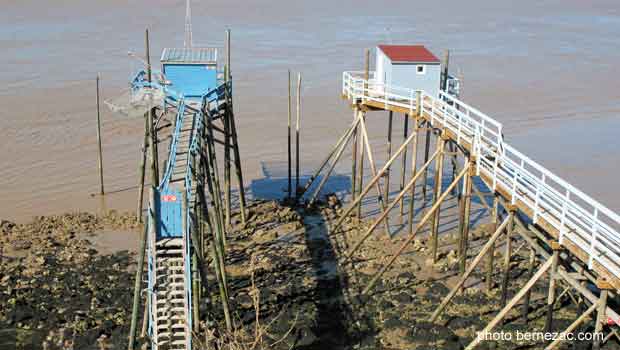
point(284, 263)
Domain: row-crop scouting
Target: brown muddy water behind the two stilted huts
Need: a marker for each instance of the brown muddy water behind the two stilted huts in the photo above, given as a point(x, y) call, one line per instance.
point(548, 70)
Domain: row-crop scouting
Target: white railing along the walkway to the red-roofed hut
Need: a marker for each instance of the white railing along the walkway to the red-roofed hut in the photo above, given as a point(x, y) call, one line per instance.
point(577, 217)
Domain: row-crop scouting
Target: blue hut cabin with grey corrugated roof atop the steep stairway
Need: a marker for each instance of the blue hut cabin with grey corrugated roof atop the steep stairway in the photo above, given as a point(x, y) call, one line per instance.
point(190, 71)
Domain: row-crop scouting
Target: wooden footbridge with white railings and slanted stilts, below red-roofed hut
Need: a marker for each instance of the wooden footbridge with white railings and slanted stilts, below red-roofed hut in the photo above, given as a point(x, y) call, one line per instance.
point(576, 238)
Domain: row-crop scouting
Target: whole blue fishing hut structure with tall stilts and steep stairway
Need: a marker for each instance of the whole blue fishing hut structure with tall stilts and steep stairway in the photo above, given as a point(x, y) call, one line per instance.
point(189, 209)
